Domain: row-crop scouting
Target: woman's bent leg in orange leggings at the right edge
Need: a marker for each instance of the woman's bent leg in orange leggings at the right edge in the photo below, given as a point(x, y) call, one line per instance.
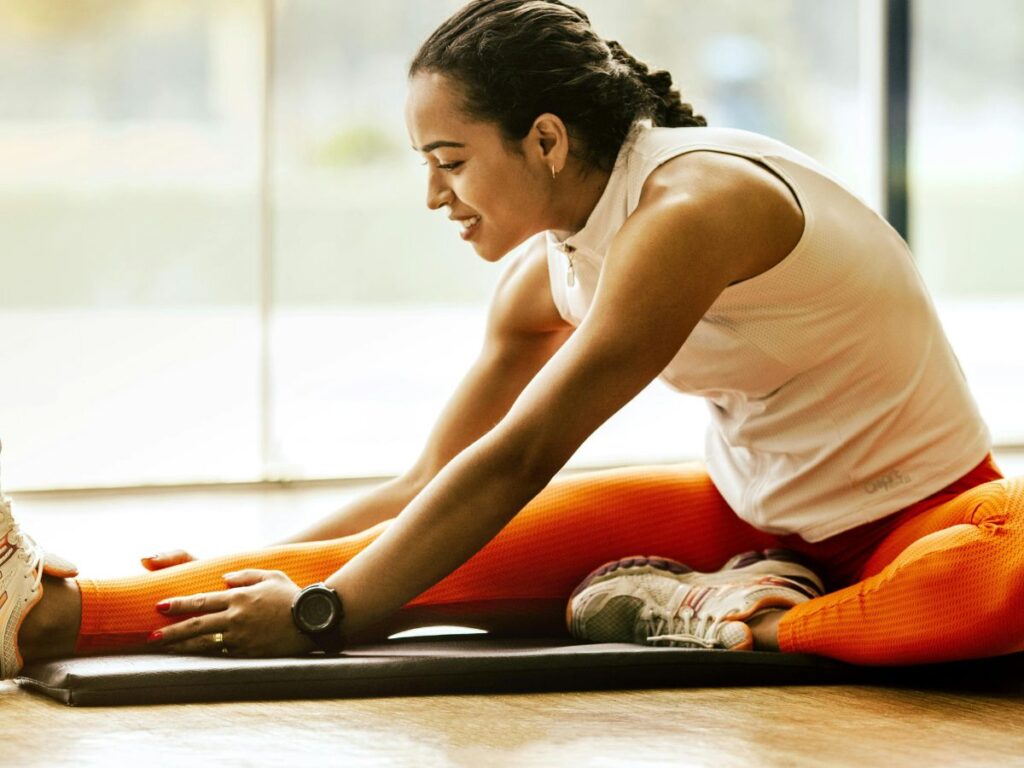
point(948, 584)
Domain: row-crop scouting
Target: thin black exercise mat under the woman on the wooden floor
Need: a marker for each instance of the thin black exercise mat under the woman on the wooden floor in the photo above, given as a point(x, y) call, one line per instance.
point(462, 666)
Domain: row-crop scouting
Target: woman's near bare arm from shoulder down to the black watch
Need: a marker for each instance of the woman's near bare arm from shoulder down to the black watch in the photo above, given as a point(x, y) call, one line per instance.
point(666, 268)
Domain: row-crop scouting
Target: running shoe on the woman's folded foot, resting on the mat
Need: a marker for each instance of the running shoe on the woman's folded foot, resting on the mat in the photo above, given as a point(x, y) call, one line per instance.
point(657, 602)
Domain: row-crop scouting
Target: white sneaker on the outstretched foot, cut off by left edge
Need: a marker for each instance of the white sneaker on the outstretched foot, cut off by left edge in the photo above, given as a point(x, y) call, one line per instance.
point(21, 586)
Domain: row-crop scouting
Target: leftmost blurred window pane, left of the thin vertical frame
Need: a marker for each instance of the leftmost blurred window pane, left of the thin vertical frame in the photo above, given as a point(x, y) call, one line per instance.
point(130, 147)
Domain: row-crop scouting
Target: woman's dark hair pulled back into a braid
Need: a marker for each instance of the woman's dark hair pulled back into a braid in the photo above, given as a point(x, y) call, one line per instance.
point(516, 60)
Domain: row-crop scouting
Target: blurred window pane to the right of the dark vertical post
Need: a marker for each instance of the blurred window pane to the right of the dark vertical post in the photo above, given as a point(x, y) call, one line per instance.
point(967, 190)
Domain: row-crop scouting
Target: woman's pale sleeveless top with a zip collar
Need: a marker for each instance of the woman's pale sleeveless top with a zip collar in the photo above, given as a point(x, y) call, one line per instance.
point(835, 397)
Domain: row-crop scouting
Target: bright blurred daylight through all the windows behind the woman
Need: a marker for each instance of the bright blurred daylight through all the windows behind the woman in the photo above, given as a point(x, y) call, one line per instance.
point(217, 265)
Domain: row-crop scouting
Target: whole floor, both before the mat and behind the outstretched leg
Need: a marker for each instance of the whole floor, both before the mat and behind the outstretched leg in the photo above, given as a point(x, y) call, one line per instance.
point(783, 727)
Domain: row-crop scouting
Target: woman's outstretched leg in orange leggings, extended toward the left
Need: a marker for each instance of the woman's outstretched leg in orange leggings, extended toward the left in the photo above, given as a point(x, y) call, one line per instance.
point(521, 580)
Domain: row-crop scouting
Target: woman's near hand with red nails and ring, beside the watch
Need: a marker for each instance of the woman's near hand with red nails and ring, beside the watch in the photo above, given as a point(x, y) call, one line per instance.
point(254, 618)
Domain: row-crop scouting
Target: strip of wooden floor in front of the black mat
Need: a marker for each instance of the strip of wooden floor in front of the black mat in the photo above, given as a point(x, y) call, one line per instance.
point(794, 727)
